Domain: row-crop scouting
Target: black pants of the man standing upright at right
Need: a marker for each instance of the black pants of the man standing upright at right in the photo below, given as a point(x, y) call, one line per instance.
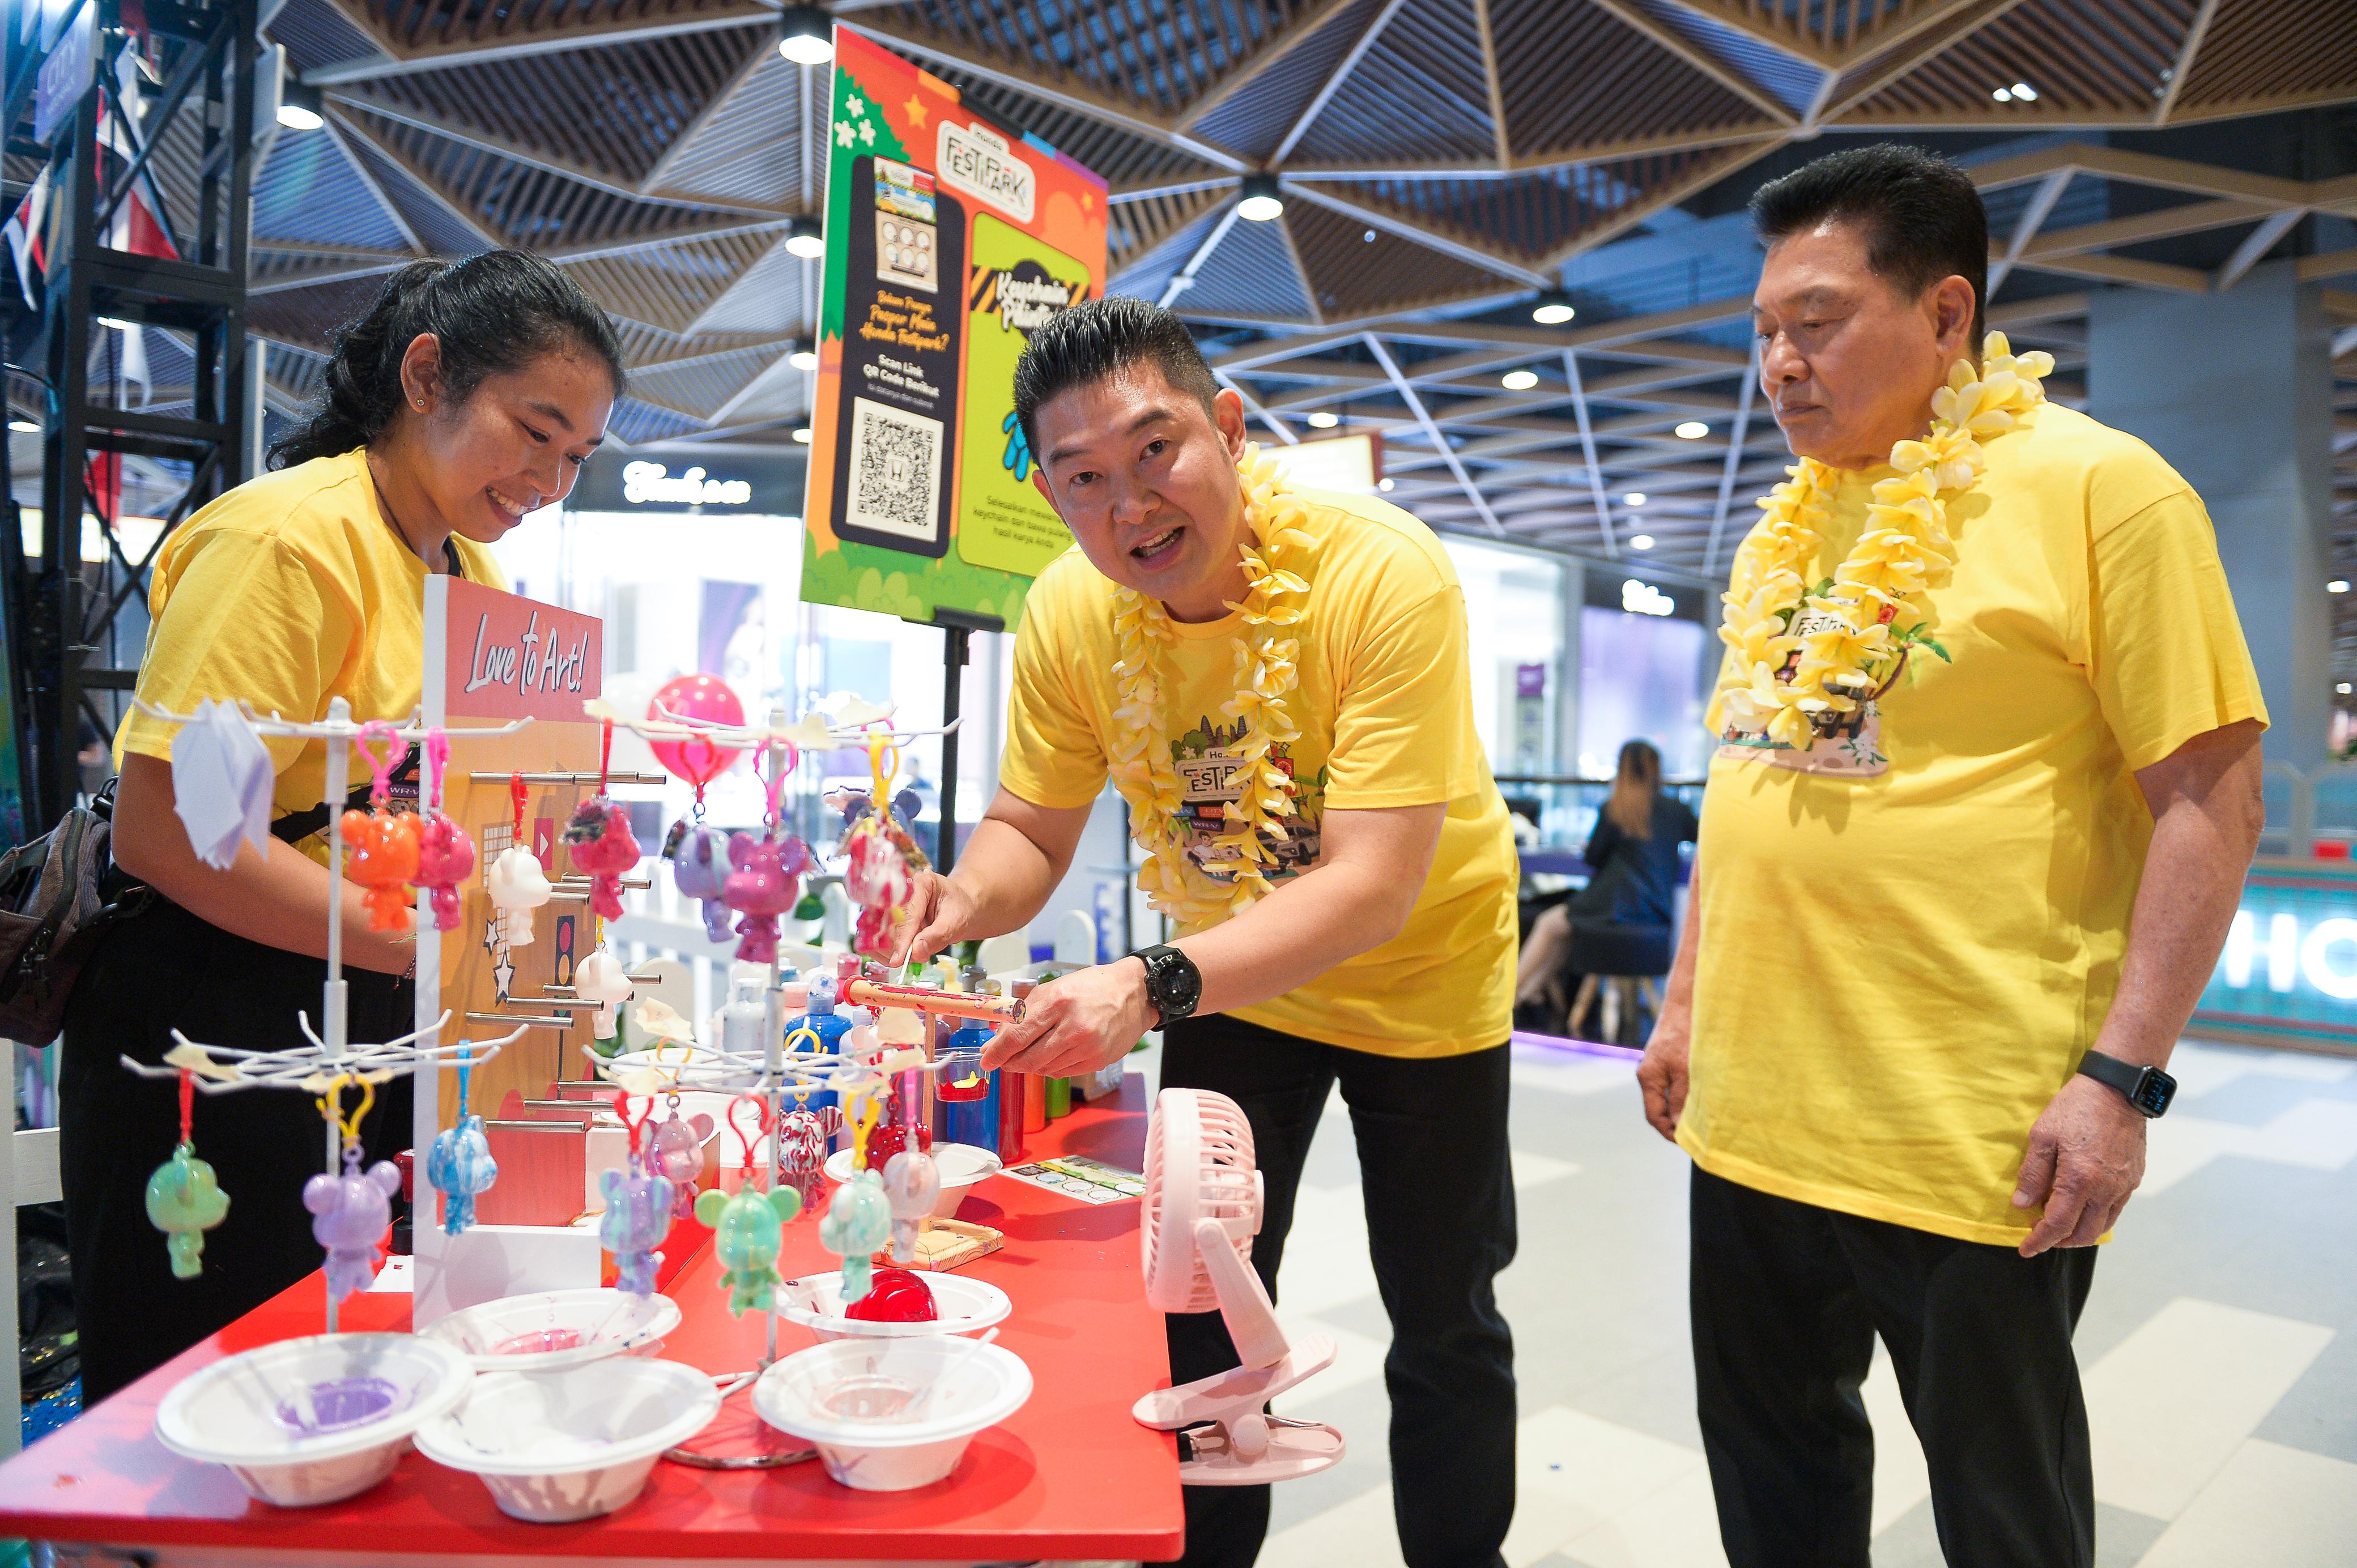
point(1788, 1300)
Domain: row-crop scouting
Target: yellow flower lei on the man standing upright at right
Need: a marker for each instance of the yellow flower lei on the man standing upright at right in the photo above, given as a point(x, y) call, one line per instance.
point(1880, 598)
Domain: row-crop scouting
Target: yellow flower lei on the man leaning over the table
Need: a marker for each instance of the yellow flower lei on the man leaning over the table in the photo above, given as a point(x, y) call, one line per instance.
point(1267, 671)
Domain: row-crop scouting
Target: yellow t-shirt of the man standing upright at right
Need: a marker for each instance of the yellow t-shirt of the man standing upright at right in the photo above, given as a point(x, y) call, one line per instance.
point(1908, 949)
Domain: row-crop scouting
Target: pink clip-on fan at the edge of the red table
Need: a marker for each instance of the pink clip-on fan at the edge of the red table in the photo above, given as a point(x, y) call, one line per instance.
point(1201, 1213)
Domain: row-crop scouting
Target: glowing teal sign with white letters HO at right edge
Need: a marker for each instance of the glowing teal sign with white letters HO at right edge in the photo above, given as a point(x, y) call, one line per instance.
point(2290, 966)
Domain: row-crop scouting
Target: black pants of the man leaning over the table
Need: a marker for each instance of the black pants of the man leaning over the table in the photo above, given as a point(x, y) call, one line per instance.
point(1432, 1154)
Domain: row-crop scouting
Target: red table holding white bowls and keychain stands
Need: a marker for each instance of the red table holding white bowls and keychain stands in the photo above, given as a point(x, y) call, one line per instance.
point(1067, 1477)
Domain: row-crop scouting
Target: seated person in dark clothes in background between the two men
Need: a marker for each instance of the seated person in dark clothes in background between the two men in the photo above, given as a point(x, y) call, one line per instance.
point(1632, 881)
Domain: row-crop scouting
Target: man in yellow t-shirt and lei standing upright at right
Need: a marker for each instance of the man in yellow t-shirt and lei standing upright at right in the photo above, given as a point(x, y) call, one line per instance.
point(1986, 791)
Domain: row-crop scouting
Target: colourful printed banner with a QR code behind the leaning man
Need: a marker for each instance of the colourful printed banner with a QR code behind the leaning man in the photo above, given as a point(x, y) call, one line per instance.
point(949, 244)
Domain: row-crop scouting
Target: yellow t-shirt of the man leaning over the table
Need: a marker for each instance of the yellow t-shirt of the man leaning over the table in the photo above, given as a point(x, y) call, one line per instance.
point(1385, 706)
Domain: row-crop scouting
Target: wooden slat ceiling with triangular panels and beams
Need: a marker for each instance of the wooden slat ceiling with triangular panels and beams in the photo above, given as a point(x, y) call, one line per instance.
point(1441, 162)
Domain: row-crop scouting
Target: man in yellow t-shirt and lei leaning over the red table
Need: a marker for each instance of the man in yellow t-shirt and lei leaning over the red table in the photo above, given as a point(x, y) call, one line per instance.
point(1279, 685)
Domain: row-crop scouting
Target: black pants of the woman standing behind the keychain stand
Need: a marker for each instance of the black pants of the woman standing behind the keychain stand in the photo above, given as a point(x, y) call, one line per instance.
point(159, 970)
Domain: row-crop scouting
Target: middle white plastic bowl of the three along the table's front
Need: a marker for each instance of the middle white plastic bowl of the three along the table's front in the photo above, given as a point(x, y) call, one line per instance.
point(576, 1444)
